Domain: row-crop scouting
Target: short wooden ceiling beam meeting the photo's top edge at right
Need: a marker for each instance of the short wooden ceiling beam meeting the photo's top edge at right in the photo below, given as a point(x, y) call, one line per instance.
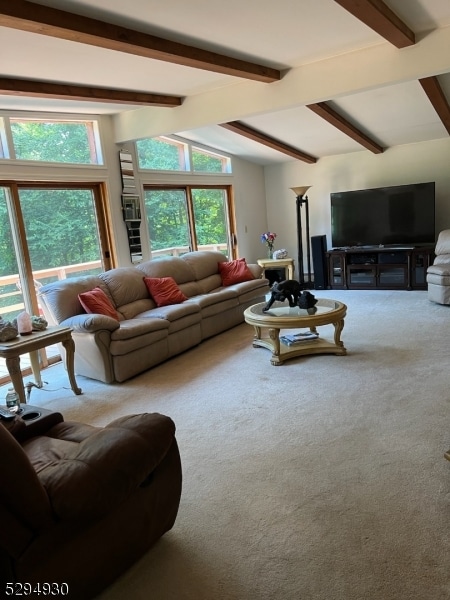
point(379, 17)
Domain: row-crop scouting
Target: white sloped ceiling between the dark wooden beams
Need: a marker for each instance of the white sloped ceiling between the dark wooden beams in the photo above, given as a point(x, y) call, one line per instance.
point(320, 46)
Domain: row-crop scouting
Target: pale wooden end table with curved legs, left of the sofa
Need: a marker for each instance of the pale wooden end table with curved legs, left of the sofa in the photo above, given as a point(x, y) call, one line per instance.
point(12, 350)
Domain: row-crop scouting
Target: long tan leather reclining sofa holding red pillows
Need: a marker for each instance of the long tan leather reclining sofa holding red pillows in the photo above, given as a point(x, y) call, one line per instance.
point(145, 335)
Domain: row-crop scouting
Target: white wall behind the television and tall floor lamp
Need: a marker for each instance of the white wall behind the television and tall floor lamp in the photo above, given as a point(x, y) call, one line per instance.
point(413, 163)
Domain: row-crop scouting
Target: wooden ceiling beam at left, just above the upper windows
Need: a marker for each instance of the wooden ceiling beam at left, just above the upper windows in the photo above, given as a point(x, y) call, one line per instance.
point(41, 89)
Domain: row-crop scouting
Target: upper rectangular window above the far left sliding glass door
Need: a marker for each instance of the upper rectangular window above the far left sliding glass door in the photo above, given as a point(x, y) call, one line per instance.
point(73, 142)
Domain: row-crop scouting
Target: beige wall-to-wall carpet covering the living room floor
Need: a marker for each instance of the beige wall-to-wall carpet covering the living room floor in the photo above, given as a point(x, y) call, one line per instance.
point(321, 479)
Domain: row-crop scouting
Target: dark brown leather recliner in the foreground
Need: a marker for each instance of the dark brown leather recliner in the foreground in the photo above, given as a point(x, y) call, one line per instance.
point(80, 504)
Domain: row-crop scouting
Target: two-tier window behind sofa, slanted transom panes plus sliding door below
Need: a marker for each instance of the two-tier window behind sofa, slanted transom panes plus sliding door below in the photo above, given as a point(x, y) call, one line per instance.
point(182, 217)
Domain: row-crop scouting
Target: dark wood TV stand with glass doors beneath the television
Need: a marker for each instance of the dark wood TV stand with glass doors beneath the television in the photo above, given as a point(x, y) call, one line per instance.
point(379, 267)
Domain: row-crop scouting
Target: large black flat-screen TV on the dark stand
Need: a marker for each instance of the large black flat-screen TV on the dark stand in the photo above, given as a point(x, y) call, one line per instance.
point(390, 216)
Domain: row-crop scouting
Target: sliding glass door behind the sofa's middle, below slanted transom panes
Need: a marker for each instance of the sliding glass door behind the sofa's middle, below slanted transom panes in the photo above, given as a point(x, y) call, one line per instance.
point(182, 219)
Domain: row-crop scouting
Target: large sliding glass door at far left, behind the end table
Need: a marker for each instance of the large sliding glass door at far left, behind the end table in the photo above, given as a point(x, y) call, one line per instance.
point(47, 232)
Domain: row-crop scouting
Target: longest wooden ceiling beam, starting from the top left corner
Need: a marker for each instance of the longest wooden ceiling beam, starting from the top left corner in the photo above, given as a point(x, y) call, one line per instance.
point(43, 20)
